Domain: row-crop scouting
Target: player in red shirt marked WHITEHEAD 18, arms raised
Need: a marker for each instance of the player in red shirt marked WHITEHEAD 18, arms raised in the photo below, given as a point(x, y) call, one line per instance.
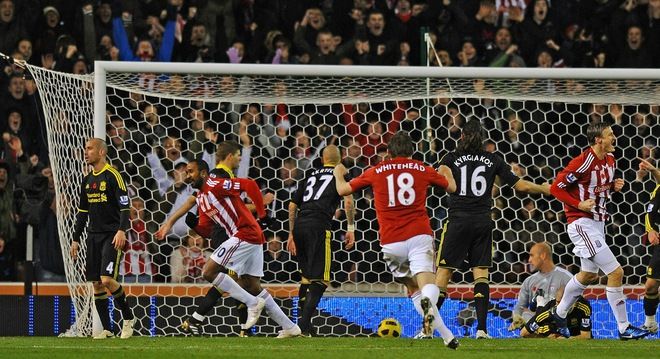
point(399, 185)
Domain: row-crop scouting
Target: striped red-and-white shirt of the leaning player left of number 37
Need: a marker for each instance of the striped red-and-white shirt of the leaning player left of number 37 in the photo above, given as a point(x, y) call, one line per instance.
point(219, 202)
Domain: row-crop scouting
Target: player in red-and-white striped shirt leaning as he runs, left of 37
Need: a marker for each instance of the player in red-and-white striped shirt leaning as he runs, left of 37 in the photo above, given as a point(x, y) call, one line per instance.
point(219, 201)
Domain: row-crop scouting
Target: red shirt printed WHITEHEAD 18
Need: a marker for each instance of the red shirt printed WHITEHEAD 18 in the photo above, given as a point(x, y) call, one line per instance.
point(399, 186)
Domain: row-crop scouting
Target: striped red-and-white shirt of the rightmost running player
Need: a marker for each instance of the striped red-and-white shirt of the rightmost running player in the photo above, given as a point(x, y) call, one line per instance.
point(585, 177)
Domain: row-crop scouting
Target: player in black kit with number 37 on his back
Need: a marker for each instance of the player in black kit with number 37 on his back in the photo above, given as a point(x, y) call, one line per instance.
point(310, 219)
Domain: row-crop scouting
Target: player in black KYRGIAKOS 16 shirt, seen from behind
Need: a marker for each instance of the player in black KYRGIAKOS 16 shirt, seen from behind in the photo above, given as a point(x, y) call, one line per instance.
point(467, 233)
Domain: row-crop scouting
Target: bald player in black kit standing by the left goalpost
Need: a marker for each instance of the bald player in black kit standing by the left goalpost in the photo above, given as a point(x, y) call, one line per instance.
point(103, 199)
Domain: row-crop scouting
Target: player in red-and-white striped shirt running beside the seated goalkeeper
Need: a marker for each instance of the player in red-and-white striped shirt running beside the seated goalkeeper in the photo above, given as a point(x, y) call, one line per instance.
point(584, 187)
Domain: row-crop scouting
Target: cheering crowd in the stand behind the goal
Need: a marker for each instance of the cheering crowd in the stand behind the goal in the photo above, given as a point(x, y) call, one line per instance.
point(152, 138)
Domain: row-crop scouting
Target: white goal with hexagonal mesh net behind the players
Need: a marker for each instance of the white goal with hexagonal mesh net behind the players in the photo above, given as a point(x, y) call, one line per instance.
point(154, 116)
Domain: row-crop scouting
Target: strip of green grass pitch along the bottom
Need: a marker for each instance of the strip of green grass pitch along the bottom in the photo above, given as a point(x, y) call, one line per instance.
point(297, 348)
